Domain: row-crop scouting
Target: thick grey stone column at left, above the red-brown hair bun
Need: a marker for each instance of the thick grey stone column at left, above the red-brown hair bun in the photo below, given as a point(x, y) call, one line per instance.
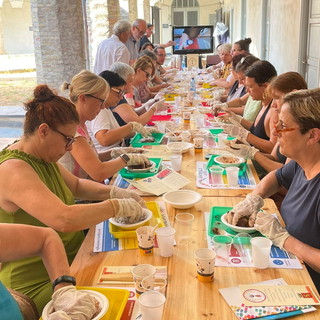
point(58, 40)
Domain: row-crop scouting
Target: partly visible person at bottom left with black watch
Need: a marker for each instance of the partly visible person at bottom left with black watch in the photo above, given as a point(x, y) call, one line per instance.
point(18, 241)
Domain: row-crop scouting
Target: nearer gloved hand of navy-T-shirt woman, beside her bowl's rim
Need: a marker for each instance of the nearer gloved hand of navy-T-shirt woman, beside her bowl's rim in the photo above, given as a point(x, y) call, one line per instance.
point(269, 226)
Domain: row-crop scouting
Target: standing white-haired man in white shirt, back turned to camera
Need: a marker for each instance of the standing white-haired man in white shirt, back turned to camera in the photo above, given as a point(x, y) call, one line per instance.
point(113, 49)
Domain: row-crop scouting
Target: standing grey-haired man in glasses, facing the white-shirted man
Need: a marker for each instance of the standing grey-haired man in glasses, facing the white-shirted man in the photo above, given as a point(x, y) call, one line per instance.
point(138, 29)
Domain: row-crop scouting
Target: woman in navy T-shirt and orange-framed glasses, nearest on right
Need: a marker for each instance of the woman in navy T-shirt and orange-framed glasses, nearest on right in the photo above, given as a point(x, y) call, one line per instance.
point(298, 132)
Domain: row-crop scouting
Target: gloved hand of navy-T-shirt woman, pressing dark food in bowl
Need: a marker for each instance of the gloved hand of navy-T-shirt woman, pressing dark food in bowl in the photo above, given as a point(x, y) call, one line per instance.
point(249, 207)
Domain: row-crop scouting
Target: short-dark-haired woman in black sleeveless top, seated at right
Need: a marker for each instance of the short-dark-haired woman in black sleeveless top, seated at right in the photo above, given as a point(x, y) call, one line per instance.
point(258, 133)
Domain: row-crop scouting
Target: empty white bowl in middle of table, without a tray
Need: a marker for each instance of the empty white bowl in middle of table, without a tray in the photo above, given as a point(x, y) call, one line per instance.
point(182, 199)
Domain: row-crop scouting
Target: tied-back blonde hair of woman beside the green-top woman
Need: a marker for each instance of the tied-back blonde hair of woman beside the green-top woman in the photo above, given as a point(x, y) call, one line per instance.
point(86, 82)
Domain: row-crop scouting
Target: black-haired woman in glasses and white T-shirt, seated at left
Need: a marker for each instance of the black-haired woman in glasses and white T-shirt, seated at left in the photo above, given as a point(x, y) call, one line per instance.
point(104, 130)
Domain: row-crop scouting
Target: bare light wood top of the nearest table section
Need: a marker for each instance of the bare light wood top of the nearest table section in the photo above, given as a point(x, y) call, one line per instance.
point(187, 298)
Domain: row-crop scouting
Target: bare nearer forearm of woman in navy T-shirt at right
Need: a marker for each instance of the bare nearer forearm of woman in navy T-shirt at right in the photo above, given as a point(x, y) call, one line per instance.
point(308, 254)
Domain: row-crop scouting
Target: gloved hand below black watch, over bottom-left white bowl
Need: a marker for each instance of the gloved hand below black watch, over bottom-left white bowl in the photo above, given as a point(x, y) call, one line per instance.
point(75, 303)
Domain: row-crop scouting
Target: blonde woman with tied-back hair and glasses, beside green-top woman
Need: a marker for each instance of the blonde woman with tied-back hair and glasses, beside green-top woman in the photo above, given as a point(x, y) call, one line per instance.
point(90, 93)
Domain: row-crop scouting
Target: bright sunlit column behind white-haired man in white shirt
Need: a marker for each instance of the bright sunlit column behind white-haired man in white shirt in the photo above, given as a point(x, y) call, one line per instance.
point(102, 15)
